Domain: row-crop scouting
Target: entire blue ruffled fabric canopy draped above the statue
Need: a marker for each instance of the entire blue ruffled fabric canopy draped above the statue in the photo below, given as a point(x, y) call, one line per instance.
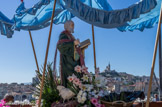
point(97, 12)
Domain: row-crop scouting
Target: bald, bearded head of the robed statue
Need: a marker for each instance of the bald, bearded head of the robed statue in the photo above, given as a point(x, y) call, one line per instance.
point(69, 26)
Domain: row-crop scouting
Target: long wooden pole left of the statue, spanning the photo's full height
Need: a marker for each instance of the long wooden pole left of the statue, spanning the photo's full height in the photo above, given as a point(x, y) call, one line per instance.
point(45, 62)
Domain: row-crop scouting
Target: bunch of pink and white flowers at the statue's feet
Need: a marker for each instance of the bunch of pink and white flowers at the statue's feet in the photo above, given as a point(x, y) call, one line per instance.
point(89, 88)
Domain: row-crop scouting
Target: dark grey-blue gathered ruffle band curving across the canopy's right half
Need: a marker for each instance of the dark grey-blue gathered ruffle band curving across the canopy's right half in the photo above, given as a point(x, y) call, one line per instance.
point(105, 18)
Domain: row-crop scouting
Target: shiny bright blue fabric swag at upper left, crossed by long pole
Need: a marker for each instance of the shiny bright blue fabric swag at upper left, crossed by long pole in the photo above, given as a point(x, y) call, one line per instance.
point(39, 15)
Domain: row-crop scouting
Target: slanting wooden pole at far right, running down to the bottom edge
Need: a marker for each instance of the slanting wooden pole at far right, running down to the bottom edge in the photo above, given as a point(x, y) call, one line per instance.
point(154, 57)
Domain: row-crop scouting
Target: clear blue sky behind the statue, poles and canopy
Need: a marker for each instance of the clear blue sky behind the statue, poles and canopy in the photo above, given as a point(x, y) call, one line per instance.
point(129, 52)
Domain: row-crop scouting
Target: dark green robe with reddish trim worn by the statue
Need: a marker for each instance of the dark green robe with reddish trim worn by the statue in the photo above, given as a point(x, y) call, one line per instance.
point(70, 56)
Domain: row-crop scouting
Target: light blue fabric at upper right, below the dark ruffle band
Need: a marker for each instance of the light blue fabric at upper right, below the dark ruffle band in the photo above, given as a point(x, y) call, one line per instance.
point(147, 20)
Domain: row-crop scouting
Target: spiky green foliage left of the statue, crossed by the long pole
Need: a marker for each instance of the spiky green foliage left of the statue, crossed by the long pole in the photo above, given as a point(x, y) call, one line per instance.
point(50, 93)
